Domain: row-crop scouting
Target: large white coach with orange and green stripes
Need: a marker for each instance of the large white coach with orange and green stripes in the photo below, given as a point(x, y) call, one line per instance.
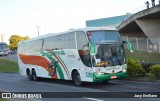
point(83, 55)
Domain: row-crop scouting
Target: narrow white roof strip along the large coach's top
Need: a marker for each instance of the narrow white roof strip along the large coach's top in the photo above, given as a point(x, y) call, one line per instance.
point(71, 30)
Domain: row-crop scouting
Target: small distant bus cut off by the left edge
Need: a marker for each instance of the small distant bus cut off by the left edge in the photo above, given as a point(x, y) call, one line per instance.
point(4, 49)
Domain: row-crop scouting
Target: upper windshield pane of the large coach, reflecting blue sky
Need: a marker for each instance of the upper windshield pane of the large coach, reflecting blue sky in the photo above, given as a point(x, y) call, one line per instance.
point(100, 37)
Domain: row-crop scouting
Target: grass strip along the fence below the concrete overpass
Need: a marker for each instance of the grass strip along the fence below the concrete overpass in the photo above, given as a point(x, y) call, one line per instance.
point(144, 56)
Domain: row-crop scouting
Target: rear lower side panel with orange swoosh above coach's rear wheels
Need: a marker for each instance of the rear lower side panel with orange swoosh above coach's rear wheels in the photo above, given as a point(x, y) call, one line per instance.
point(30, 63)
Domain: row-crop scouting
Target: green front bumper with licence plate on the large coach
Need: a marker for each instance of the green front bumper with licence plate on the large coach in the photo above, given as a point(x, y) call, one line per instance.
point(107, 77)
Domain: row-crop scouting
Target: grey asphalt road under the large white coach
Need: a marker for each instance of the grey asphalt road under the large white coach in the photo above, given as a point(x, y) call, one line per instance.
point(67, 90)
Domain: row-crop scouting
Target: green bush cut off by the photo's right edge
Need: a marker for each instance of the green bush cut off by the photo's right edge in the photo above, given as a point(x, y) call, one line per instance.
point(155, 69)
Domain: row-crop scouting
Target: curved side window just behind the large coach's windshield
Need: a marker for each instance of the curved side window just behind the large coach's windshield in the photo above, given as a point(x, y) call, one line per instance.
point(83, 48)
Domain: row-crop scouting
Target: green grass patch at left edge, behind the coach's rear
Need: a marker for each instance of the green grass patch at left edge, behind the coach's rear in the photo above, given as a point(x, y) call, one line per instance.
point(8, 66)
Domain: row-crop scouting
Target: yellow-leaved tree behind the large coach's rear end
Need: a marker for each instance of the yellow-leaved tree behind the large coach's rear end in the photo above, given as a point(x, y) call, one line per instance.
point(14, 39)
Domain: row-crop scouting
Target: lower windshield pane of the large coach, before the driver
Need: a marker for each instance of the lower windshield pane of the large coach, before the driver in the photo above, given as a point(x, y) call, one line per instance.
point(108, 55)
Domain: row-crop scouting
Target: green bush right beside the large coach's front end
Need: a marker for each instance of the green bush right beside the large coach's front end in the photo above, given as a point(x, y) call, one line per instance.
point(134, 68)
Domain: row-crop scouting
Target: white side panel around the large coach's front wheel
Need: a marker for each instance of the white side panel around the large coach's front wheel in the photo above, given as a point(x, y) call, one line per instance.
point(74, 62)
